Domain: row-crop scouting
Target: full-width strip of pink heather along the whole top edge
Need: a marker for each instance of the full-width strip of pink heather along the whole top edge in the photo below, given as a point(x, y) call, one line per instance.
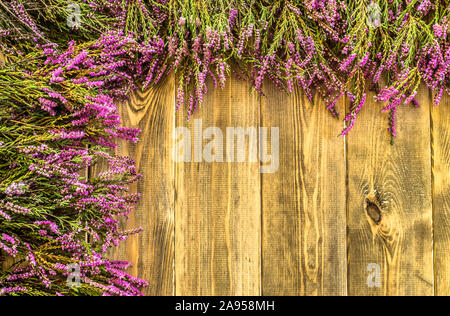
point(338, 48)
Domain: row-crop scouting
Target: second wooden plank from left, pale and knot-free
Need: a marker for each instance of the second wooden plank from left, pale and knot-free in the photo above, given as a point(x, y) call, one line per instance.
point(217, 207)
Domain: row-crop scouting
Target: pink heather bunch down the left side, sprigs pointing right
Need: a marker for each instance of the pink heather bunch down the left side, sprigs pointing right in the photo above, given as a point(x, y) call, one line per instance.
point(56, 123)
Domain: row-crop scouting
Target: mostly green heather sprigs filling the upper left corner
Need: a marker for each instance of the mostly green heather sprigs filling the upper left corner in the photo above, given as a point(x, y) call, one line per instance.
point(23, 22)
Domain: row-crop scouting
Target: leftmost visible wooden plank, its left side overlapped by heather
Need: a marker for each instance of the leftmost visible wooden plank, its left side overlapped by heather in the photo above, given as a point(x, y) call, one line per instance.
point(152, 252)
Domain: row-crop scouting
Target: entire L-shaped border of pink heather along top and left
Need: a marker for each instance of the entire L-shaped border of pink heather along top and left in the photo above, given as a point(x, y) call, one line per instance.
point(61, 78)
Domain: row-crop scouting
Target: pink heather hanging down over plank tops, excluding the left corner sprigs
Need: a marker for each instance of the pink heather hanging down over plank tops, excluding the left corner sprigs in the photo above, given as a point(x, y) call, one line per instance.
point(336, 48)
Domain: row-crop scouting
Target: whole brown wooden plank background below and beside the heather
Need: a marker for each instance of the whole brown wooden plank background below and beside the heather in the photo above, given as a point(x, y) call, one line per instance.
point(335, 206)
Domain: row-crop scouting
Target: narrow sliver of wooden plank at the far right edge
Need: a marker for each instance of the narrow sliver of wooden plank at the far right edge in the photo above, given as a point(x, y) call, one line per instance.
point(441, 183)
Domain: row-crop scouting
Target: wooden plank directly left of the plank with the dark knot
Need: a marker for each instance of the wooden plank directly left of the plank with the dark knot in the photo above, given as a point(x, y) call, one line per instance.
point(304, 209)
